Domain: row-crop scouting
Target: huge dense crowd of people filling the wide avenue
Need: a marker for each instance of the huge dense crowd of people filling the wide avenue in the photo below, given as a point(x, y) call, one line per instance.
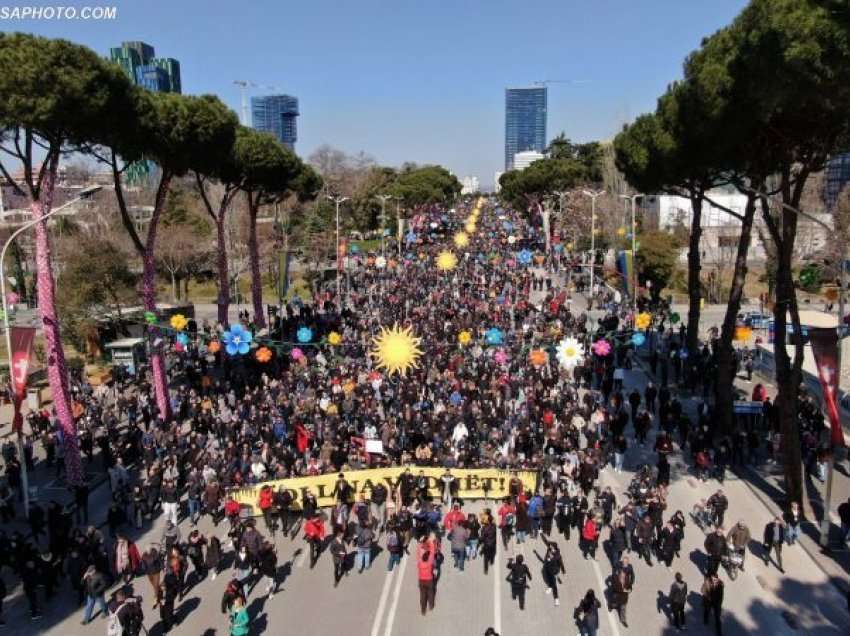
point(237, 421)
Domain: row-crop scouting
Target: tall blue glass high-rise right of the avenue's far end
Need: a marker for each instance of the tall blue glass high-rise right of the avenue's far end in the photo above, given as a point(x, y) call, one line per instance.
point(525, 121)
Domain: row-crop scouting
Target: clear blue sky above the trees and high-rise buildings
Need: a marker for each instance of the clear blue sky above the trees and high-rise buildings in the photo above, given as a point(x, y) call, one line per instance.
point(414, 80)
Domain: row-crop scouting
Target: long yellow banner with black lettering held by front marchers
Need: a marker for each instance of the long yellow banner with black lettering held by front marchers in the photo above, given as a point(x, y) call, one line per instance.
point(473, 483)
